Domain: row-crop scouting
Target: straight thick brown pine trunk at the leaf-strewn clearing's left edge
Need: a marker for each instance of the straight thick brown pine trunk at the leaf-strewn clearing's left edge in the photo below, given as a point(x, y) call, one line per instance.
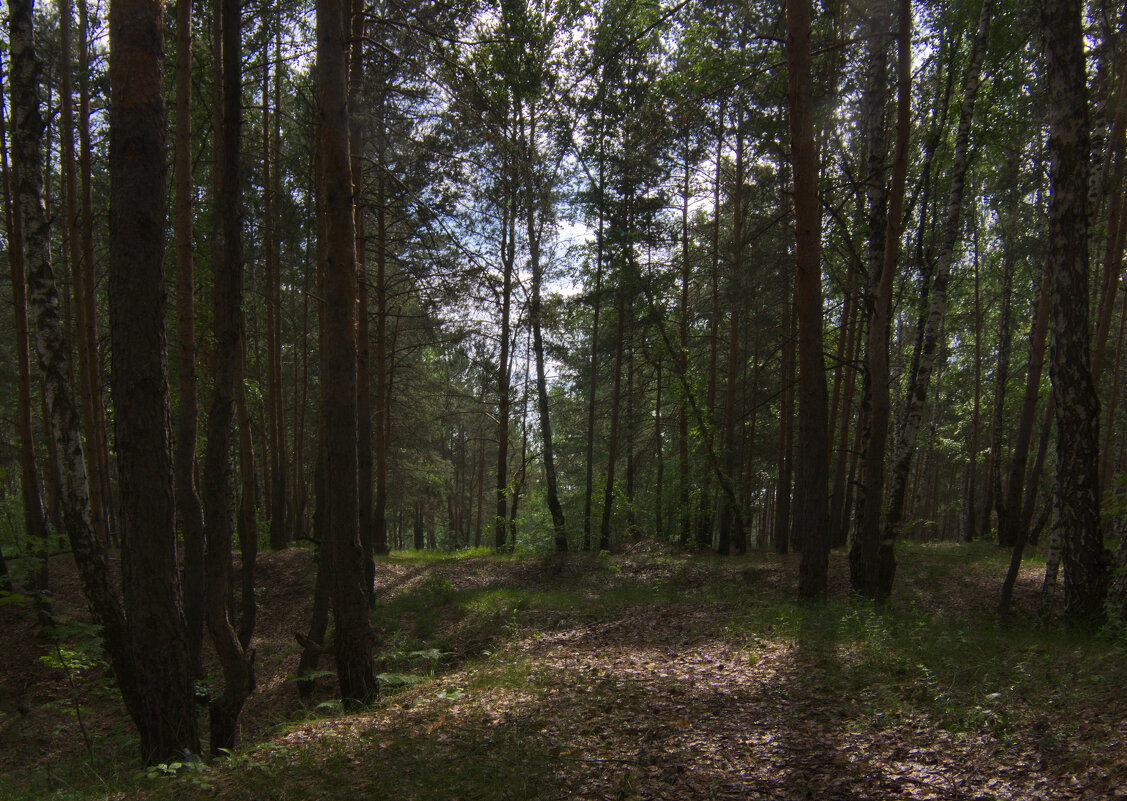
point(354, 640)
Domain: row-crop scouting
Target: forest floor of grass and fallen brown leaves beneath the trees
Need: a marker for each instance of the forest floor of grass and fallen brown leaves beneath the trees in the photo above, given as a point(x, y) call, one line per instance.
point(645, 675)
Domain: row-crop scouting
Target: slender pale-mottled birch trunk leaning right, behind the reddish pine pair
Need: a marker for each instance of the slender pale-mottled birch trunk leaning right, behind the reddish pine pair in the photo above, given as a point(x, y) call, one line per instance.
point(937, 309)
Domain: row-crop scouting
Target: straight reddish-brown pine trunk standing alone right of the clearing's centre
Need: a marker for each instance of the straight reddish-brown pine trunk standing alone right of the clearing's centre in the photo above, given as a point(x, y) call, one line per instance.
point(812, 501)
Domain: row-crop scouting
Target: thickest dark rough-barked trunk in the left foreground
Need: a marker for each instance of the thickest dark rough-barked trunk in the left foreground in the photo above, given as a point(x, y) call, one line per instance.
point(143, 419)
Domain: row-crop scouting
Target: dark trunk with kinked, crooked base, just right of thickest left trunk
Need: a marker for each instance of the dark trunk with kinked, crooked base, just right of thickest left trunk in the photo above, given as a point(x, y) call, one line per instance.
point(227, 293)
